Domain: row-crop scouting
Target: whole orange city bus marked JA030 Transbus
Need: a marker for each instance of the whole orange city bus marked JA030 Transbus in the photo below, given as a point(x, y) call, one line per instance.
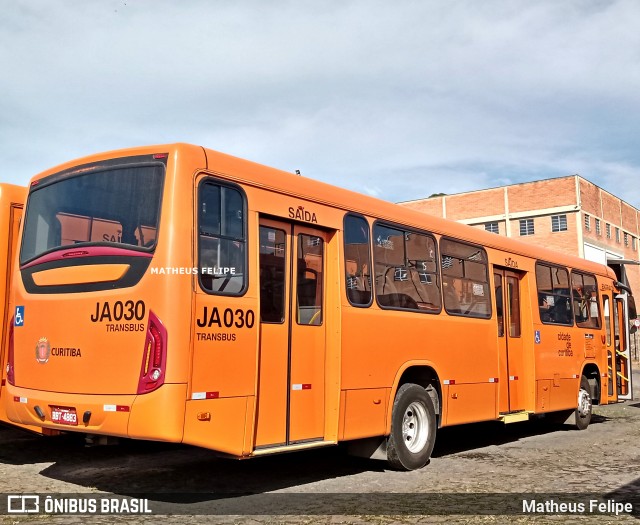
point(175, 293)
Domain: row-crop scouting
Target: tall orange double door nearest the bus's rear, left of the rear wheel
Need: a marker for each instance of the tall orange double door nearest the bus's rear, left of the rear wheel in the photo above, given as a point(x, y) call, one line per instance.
point(292, 334)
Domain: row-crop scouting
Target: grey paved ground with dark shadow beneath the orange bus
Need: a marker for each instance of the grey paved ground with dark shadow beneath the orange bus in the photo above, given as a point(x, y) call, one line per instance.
point(474, 461)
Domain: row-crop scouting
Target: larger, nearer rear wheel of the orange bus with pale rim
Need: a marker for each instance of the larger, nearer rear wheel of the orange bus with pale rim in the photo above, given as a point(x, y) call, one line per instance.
point(413, 428)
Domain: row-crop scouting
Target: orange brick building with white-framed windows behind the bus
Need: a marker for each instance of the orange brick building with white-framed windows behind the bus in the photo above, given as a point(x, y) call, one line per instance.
point(568, 214)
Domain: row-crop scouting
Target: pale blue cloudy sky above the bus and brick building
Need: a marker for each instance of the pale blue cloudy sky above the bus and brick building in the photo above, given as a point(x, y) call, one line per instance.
point(398, 100)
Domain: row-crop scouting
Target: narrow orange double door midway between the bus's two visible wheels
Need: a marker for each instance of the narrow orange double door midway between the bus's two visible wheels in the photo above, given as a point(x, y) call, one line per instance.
point(511, 359)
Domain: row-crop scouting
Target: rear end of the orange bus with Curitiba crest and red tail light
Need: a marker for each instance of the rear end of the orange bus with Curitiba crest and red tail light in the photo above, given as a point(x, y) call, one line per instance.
point(92, 352)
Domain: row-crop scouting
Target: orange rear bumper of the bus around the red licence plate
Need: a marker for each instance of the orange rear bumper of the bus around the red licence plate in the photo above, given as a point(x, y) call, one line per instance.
point(158, 415)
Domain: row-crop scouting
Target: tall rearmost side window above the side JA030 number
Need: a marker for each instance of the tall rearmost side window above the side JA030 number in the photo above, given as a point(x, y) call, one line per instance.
point(221, 239)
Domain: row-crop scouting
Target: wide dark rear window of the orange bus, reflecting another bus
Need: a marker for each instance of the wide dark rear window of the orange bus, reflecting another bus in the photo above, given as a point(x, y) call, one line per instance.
point(118, 206)
